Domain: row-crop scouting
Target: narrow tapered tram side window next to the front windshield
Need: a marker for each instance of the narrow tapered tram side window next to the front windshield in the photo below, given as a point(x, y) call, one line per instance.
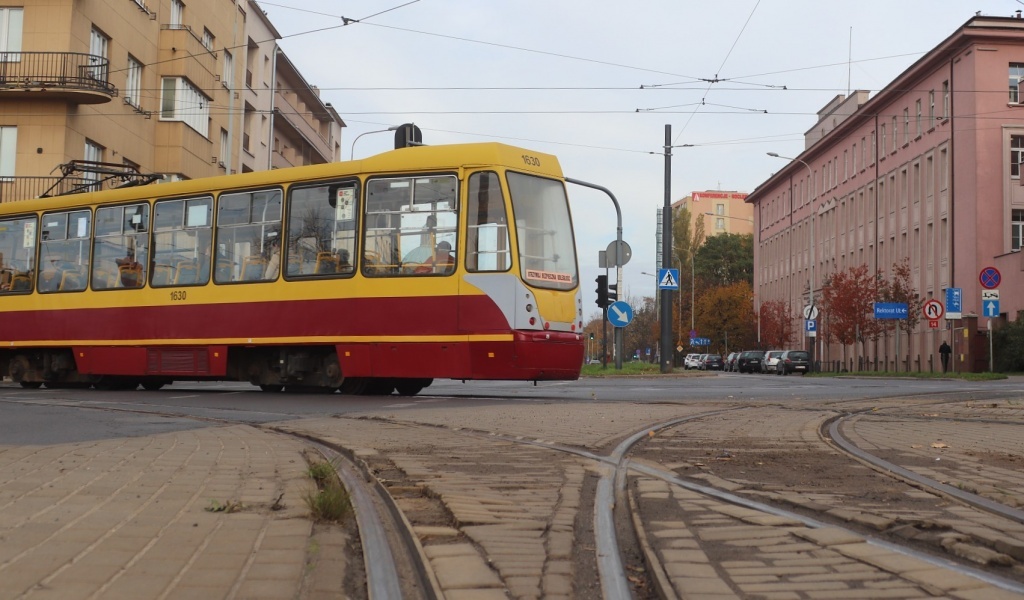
point(488, 246)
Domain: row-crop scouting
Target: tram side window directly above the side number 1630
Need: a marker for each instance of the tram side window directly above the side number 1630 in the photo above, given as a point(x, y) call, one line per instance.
point(182, 242)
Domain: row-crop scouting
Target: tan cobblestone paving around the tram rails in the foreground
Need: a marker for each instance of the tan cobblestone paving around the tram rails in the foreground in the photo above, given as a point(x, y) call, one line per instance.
point(193, 515)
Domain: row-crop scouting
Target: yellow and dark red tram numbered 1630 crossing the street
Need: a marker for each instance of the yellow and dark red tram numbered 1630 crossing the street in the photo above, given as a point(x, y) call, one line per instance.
point(370, 277)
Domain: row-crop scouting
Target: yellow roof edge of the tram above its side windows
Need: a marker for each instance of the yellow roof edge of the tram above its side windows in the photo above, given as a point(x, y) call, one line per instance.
point(423, 159)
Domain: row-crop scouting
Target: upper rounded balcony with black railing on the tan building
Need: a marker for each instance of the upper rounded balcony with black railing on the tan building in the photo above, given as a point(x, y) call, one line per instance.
point(72, 77)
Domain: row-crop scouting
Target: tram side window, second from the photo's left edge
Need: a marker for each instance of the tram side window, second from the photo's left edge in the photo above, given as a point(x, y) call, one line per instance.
point(64, 251)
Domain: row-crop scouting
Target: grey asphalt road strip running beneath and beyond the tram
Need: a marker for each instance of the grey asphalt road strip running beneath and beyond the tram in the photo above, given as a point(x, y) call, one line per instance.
point(48, 417)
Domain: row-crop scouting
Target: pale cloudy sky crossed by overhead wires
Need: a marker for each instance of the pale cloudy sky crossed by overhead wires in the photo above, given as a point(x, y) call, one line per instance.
point(595, 83)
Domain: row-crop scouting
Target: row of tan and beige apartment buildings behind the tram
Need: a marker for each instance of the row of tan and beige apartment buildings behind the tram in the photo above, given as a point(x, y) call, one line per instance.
point(184, 91)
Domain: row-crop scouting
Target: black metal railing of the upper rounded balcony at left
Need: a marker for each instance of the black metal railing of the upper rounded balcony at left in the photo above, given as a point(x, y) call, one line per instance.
point(59, 71)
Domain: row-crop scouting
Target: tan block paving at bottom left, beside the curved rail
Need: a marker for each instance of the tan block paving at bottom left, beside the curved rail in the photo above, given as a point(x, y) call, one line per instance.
point(209, 513)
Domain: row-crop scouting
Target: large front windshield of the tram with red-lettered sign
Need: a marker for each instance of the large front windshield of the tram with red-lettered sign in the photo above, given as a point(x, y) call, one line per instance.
point(544, 231)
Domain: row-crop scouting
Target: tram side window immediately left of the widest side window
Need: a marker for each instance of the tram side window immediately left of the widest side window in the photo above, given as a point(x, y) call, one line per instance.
point(322, 226)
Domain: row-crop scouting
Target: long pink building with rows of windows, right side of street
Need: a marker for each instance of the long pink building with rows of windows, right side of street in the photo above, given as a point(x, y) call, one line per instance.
point(929, 170)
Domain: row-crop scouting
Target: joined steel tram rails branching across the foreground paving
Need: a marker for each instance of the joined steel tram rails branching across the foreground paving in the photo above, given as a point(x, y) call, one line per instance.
point(618, 505)
